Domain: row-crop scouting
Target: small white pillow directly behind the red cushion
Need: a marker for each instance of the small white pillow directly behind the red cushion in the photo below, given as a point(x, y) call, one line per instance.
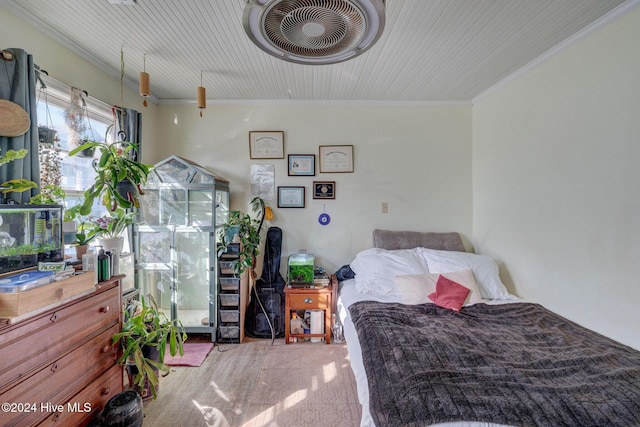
point(415, 288)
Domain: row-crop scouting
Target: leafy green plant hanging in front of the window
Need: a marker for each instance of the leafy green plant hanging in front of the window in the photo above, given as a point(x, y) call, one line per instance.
point(119, 179)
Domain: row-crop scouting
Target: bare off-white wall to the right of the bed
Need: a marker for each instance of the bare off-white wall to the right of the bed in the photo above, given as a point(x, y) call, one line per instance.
point(556, 178)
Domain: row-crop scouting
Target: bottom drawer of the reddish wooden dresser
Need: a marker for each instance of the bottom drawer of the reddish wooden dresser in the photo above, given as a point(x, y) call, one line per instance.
point(84, 406)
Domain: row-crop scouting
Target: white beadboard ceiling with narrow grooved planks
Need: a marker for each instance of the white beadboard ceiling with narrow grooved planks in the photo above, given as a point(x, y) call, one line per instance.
point(430, 50)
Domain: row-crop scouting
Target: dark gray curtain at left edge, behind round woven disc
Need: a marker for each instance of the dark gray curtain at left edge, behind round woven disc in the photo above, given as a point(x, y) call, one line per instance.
point(18, 84)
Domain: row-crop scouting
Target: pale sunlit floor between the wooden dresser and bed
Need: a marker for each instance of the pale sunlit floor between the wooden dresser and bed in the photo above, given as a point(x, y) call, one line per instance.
point(256, 384)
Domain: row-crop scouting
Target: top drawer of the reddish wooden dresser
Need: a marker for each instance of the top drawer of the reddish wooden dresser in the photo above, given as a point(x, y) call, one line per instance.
point(38, 341)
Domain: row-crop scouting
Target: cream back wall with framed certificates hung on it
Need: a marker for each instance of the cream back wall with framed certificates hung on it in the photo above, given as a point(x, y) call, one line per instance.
point(415, 158)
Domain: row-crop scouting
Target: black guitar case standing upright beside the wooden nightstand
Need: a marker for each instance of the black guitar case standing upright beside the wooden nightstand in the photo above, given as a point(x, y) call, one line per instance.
point(265, 312)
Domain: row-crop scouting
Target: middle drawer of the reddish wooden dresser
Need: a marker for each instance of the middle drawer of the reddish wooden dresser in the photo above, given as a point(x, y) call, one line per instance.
point(56, 382)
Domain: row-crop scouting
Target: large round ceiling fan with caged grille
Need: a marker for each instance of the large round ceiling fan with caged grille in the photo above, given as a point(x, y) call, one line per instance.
point(314, 32)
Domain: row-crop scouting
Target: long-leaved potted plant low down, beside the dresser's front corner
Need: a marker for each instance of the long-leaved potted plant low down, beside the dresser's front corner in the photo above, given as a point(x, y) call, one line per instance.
point(146, 331)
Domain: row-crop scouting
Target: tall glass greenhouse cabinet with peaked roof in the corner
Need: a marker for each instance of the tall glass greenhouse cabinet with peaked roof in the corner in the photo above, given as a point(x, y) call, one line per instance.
point(181, 212)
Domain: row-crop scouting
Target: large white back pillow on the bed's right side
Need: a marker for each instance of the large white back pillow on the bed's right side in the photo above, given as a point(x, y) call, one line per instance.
point(485, 270)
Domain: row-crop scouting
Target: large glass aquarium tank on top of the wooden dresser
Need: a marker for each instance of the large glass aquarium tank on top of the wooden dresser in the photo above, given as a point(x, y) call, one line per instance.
point(29, 234)
